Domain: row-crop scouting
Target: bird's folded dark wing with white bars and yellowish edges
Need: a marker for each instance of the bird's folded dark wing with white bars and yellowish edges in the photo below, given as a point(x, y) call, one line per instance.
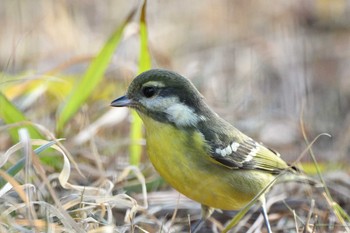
point(231, 148)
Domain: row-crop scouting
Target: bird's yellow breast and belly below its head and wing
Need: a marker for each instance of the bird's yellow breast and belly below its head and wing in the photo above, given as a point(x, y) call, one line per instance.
point(181, 159)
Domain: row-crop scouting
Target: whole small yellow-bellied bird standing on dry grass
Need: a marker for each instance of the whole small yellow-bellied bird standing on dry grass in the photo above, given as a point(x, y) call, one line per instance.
point(194, 150)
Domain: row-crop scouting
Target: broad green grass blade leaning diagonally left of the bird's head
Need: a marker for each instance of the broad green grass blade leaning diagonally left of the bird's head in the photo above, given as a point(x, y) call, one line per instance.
point(92, 76)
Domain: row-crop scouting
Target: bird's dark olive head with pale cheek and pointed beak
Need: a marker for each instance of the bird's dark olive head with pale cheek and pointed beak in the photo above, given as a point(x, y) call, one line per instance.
point(165, 96)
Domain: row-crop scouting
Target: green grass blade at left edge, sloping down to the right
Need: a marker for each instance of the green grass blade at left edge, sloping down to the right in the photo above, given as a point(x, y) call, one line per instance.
point(11, 114)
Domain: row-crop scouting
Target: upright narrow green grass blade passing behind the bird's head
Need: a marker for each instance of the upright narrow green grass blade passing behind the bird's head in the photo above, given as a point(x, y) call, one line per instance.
point(144, 64)
